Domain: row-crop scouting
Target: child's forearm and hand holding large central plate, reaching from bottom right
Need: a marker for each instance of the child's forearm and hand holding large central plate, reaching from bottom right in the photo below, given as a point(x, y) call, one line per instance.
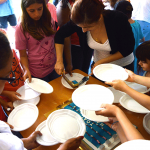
point(129, 130)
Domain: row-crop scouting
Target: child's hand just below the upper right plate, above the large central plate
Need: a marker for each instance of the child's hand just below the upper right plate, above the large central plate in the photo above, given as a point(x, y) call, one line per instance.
point(118, 85)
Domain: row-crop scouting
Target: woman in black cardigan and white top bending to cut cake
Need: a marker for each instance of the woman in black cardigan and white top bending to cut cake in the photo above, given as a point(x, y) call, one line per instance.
point(107, 32)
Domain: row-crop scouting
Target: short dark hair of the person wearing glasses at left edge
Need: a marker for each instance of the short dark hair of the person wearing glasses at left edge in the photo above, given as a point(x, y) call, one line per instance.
point(5, 50)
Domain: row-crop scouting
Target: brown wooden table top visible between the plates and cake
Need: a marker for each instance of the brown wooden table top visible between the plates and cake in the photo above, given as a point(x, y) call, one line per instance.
point(49, 102)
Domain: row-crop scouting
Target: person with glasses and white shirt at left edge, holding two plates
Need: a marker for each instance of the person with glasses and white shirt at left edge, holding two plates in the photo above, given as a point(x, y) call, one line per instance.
point(7, 139)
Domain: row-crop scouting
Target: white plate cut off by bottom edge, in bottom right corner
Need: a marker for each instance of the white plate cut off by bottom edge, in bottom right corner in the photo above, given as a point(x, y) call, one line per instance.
point(134, 145)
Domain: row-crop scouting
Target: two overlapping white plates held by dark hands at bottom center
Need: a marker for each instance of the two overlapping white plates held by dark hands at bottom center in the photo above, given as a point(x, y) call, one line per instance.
point(60, 126)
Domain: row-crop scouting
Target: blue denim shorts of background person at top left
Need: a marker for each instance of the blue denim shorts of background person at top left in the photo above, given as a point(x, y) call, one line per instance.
point(11, 19)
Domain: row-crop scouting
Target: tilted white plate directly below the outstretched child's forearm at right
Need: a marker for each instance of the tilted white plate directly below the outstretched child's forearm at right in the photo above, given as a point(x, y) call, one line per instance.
point(132, 105)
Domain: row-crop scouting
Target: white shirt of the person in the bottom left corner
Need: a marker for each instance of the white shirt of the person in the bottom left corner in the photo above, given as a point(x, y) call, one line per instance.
point(7, 140)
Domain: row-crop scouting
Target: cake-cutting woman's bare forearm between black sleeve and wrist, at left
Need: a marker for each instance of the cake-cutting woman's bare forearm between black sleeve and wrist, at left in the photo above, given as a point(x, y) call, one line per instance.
point(59, 52)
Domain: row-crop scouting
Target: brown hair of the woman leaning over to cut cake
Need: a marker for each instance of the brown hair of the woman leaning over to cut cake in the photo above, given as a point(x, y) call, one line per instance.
point(86, 11)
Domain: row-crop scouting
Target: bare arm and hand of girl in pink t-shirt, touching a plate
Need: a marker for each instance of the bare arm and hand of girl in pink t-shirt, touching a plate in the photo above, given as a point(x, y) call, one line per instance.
point(25, 65)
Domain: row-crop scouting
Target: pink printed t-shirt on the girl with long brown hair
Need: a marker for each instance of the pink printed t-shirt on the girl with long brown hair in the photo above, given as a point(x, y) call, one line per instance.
point(41, 54)
